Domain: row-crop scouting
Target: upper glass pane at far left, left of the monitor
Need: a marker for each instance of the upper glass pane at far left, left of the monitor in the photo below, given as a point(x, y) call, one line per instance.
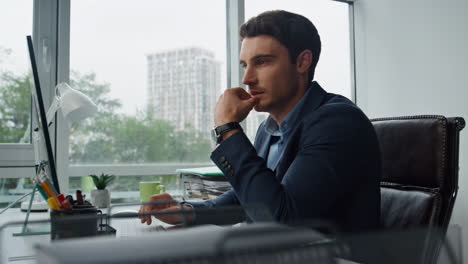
point(15, 99)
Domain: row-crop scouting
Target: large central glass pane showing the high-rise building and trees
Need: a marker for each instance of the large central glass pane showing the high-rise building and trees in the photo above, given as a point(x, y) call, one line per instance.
point(155, 71)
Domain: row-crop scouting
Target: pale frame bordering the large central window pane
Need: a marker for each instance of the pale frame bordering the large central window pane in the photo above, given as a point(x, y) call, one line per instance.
point(64, 169)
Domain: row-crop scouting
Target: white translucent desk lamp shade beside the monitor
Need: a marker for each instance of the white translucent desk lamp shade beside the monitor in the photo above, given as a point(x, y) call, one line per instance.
point(75, 105)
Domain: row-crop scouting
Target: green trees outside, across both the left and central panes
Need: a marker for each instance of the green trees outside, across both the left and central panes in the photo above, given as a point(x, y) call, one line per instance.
point(108, 137)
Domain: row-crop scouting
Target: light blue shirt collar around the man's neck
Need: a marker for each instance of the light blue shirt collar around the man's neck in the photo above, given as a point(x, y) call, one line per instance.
point(271, 127)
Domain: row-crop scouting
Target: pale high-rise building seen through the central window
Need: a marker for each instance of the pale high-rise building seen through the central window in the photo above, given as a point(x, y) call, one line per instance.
point(183, 87)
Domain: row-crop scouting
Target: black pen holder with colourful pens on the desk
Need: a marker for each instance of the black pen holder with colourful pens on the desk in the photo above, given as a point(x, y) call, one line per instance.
point(80, 221)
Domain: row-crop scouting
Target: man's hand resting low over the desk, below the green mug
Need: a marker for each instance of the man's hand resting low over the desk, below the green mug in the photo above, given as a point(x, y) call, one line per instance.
point(170, 209)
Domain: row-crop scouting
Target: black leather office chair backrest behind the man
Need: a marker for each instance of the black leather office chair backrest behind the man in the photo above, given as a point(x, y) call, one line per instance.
point(419, 175)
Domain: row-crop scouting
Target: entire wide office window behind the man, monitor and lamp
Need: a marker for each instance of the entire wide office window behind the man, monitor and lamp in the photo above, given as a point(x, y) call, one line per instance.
point(155, 71)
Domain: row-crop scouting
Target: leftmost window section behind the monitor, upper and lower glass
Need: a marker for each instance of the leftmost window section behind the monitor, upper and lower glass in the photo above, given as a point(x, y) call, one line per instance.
point(16, 152)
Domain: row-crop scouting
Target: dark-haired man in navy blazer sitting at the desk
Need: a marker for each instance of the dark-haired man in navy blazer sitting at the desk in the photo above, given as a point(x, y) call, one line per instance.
point(316, 157)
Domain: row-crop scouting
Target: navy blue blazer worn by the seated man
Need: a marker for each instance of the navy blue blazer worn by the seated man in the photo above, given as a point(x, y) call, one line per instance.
point(330, 168)
